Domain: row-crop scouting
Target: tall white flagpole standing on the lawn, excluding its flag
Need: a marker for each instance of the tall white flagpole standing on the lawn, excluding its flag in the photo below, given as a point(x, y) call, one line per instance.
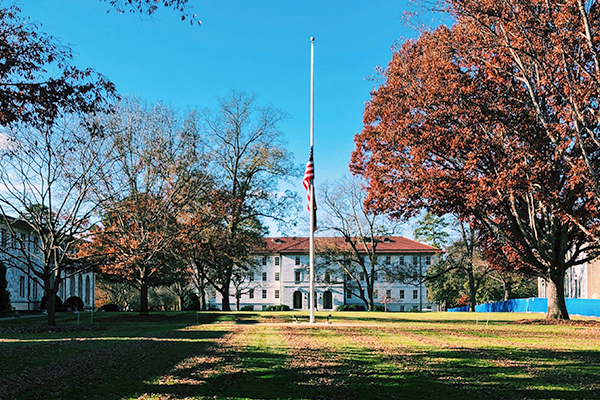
point(312, 185)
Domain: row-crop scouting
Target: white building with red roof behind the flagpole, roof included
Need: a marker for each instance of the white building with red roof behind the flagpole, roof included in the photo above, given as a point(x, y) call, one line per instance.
point(283, 277)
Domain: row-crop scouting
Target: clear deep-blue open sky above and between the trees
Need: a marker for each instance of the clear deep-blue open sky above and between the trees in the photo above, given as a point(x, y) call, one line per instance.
point(256, 46)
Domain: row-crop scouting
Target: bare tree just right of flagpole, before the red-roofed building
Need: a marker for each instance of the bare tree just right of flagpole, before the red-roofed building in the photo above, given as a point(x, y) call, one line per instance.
point(344, 214)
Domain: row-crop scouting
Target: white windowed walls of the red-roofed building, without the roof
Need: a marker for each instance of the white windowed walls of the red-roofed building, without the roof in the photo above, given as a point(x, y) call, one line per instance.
point(288, 282)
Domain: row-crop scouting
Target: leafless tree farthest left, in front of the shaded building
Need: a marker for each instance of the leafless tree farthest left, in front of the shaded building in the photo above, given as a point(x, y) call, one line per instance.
point(48, 176)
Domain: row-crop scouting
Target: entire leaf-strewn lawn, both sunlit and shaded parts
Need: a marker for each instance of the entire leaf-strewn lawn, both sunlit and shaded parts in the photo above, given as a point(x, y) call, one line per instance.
point(264, 355)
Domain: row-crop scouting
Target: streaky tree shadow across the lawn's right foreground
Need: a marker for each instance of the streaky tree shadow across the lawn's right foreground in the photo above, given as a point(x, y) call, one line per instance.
point(364, 374)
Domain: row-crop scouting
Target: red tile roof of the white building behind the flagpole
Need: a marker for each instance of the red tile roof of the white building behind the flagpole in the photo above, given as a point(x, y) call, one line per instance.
point(387, 244)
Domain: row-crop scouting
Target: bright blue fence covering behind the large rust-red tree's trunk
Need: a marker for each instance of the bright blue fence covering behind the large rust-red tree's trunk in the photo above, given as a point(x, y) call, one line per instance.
point(584, 307)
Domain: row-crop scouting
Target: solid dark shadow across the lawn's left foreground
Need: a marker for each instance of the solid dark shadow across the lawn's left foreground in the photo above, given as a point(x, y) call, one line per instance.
point(101, 367)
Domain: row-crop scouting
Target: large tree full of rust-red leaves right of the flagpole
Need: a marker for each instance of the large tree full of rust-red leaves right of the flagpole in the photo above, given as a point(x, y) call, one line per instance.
point(451, 132)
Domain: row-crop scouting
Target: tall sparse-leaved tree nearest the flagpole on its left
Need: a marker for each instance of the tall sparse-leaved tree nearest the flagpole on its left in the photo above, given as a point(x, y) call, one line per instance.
point(247, 160)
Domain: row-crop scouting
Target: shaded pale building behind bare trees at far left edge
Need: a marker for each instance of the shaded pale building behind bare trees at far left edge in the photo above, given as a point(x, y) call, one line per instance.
point(25, 289)
